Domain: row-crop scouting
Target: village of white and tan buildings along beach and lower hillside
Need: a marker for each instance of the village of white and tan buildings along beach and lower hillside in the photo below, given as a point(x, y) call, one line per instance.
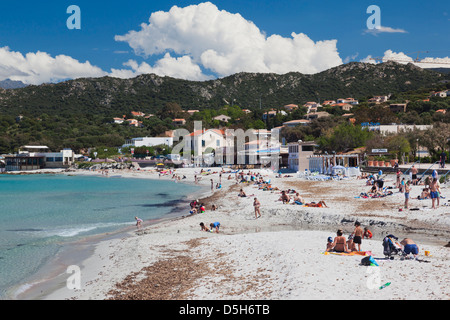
point(219, 145)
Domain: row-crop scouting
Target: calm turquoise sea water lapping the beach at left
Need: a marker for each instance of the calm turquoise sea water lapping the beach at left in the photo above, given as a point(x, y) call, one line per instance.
point(40, 214)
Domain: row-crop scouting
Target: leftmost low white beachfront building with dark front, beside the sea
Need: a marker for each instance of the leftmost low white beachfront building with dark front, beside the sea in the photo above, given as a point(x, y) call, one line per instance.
point(39, 157)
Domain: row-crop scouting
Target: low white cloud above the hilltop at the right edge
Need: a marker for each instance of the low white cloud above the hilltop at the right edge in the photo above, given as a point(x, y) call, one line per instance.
point(403, 58)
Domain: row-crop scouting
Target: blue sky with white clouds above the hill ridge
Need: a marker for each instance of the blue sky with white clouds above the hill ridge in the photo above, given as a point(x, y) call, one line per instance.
point(40, 26)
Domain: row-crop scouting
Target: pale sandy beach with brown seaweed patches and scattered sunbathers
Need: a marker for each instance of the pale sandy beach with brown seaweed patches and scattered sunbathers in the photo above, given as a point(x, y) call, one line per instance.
point(278, 256)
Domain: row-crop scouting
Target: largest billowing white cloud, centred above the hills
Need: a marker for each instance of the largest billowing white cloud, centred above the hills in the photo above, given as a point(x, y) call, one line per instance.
point(225, 43)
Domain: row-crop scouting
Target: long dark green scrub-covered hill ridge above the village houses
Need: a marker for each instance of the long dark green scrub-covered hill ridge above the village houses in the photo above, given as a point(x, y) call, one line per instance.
point(150, 93)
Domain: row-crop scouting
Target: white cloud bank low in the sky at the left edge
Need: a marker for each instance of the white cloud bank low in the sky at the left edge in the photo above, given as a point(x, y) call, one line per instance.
point(40, 67)
